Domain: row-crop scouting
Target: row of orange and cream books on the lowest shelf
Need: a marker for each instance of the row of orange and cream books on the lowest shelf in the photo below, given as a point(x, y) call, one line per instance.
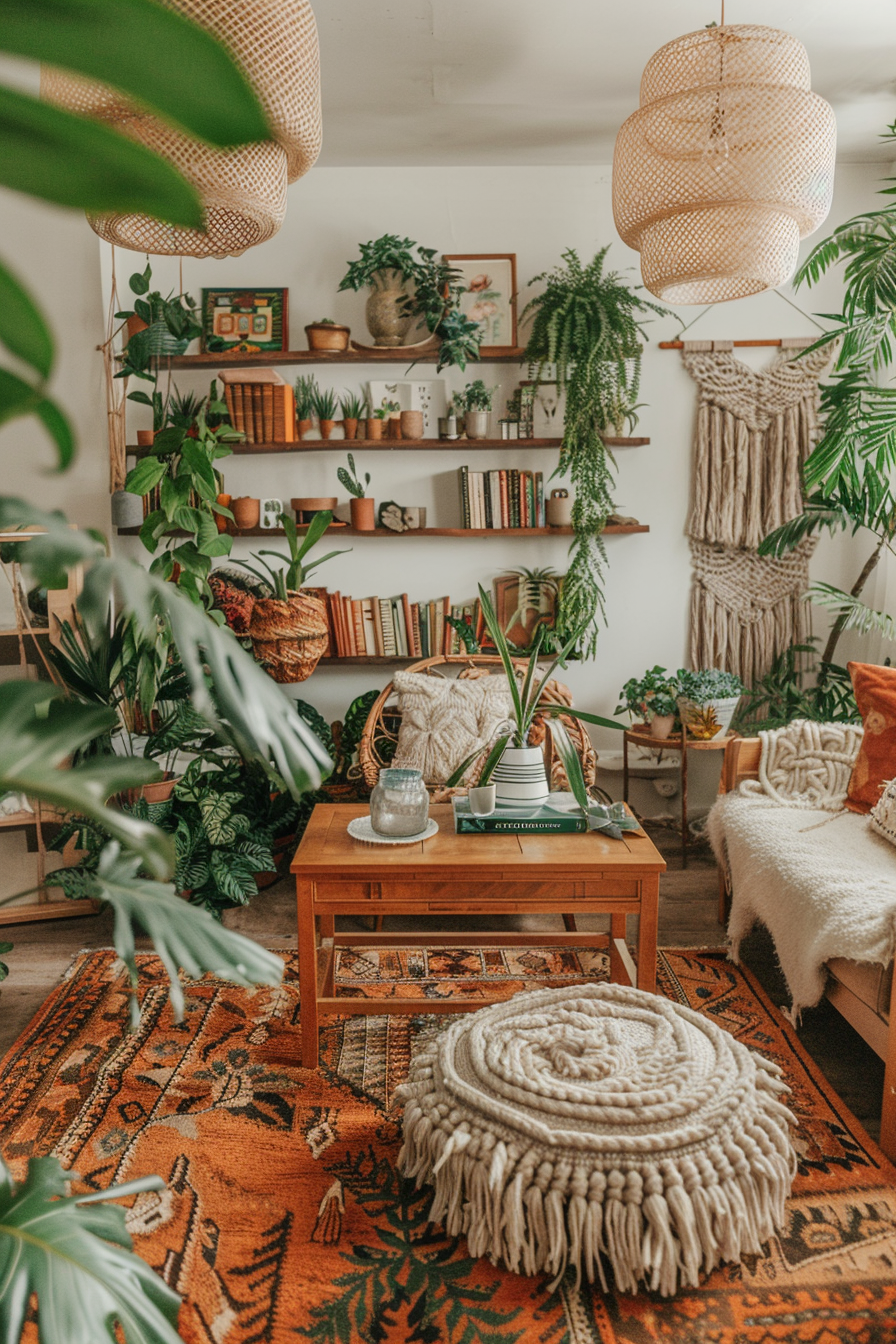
point(393, 627)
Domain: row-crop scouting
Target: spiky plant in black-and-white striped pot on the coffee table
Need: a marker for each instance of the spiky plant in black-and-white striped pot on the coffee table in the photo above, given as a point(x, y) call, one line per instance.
point(517, 767)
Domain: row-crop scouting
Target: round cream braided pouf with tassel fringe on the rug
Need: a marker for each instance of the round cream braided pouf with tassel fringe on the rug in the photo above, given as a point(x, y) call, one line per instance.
point(600, 1126)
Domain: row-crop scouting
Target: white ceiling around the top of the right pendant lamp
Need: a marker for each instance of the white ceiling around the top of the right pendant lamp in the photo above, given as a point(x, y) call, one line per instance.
point(551, 81)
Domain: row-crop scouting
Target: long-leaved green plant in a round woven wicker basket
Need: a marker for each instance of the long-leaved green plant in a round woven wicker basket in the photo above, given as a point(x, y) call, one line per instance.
point(288, 627)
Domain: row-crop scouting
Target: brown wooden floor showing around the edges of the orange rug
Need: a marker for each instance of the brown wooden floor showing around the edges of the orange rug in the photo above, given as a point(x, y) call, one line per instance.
point(688, 908)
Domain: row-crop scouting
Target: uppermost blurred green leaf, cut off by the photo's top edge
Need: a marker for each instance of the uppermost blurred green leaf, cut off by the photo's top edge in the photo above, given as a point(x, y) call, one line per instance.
point(198, 85)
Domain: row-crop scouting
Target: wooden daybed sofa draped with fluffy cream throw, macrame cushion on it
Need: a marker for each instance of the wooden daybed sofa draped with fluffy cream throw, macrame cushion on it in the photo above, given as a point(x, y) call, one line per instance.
point(817, 876)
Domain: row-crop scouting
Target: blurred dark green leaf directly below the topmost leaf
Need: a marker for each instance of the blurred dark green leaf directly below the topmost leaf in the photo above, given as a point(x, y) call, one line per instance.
point(75, 162)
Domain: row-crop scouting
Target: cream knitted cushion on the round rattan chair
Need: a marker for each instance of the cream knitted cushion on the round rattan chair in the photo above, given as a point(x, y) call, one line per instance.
point(445, 721)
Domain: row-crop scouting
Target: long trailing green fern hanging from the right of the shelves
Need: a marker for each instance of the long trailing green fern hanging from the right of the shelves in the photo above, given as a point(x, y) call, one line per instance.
point(589, 326)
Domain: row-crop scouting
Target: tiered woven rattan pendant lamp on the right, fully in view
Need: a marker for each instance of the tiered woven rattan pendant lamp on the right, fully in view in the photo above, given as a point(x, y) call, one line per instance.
point(726, 166)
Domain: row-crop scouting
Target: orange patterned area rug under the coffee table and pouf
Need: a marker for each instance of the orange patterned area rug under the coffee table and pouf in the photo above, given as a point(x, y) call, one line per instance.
point(284, 1218)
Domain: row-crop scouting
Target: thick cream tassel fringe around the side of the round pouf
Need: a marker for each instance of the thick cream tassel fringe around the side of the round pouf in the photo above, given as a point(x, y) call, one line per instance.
point(659, 1225)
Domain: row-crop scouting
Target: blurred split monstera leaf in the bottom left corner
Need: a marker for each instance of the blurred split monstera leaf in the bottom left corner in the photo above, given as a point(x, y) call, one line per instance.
point(76, 1256)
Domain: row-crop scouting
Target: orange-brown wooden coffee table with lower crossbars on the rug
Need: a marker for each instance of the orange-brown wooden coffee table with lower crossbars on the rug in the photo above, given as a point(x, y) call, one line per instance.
point(463, 874)
